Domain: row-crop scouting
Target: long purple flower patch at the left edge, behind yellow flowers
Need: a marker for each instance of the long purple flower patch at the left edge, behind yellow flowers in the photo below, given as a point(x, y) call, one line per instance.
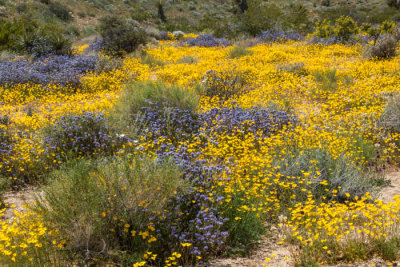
point(61, 70)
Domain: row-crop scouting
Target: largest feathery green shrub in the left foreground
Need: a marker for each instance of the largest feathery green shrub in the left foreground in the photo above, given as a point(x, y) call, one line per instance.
point(97, 204)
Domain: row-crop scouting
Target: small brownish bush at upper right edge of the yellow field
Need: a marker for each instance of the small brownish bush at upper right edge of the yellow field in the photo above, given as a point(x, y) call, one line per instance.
point(384, 48)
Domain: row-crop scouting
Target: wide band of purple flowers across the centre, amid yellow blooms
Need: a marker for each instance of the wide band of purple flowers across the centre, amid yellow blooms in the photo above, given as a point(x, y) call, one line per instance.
point(178, 125)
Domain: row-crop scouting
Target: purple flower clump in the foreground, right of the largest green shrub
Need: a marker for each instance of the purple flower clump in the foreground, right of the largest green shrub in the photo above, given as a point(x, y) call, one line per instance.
point(191, 218)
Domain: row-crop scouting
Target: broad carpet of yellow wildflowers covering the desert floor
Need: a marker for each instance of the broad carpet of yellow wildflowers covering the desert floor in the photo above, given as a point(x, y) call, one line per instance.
point(325, 104)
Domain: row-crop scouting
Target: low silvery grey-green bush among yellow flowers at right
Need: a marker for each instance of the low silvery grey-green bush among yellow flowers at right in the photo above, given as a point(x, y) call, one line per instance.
point(340, 175)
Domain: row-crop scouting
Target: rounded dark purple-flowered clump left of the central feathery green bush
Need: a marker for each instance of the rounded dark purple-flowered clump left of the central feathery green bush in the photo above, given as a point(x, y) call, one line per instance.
point(82, 135)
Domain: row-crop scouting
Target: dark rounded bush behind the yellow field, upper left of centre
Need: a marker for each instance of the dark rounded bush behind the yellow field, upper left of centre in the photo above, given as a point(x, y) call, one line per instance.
point(121, 36)
